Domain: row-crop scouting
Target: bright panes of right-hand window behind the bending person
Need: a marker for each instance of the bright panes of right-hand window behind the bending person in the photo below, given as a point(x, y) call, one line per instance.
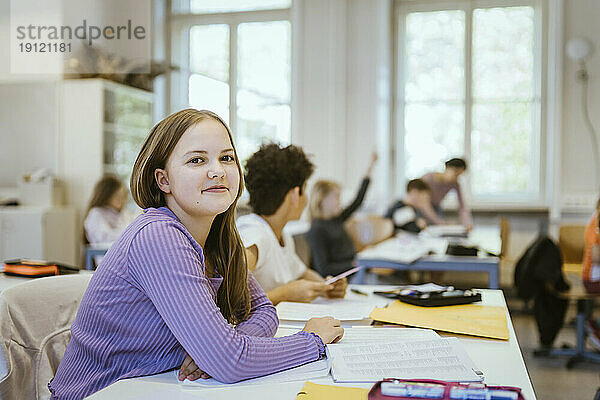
point(469, 86)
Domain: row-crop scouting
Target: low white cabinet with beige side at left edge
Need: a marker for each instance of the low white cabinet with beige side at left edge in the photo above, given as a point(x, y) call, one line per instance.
point(42, 233)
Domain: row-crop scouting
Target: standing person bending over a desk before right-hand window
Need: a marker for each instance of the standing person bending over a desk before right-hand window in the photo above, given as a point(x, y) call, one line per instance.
point(441, 184)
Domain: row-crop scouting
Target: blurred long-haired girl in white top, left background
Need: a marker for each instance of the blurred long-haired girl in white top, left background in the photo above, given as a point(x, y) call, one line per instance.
point(106, 217)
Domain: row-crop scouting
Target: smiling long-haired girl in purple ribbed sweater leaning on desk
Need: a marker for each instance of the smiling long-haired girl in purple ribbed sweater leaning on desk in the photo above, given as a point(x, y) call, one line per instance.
point(174, 289)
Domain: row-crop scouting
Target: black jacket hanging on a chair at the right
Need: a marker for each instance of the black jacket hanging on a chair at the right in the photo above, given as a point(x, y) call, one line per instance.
point(538, 275)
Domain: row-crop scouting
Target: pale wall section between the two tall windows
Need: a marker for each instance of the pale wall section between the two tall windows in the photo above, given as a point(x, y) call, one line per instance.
point(343, 90)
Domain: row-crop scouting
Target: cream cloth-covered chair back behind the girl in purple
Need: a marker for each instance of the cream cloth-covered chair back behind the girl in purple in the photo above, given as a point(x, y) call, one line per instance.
point(35, 328)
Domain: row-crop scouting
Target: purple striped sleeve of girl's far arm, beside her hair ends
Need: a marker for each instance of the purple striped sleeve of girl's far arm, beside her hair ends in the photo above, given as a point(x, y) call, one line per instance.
point(262, 320)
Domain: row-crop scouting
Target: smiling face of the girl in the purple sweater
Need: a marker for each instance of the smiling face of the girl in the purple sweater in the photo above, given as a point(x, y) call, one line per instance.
point(201, 176)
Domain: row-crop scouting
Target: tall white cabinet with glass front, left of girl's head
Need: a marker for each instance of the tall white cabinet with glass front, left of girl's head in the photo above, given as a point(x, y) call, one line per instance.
point(102, 128)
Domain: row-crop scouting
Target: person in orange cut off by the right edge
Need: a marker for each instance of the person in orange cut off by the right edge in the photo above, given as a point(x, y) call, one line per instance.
point(591, 270)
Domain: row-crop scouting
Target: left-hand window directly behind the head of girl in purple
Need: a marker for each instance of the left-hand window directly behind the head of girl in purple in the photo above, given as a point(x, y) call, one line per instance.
point(239, 65)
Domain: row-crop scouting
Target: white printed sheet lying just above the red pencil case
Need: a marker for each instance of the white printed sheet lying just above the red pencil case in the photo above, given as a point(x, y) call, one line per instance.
point(442, 359)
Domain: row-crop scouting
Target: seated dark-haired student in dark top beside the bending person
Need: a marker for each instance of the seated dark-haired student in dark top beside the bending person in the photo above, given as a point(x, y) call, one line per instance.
point(407, 214)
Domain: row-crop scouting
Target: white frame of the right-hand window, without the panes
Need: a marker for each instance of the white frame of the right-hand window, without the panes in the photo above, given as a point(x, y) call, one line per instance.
point(539, 140)
